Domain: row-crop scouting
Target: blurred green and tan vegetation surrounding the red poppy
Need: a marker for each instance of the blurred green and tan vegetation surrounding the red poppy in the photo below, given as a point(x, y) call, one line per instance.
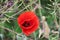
point(48, 12)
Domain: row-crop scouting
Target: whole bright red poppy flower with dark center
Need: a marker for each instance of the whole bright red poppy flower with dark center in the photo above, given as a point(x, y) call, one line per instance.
point(28, 22)
